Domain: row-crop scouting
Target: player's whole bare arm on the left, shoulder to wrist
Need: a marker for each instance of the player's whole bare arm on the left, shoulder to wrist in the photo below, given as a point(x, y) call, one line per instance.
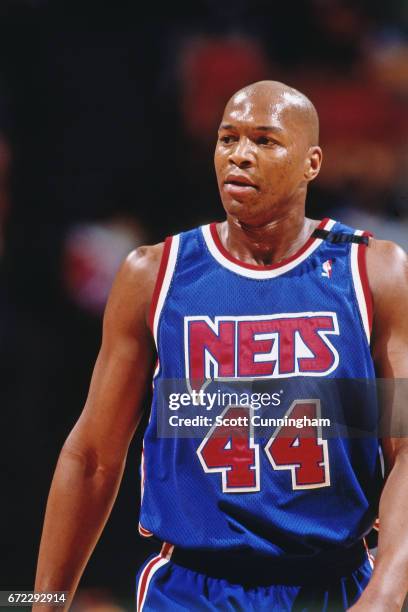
point(92, 460)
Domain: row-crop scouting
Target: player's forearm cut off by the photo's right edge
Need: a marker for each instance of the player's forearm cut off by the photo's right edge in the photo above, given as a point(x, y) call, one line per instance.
point(389, 584)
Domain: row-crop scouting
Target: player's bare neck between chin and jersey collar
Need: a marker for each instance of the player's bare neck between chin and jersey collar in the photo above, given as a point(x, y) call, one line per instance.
point(269, 243)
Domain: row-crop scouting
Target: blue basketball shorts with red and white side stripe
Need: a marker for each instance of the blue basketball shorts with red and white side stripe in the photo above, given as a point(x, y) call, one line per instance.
point(163, 585)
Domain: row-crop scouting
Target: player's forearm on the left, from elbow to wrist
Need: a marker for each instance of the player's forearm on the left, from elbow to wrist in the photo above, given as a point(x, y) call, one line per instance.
point(80, 501)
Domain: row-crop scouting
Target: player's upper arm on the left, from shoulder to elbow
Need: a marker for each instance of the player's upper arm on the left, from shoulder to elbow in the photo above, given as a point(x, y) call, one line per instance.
point(124, 365)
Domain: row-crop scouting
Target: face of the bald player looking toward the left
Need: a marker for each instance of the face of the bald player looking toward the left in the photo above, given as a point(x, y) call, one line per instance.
point(261, 156)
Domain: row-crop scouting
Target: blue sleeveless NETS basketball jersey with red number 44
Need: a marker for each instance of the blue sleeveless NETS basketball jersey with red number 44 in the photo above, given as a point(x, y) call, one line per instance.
point(305, 319)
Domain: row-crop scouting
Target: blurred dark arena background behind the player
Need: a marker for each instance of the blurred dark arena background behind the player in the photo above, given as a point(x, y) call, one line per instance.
point(108, 116)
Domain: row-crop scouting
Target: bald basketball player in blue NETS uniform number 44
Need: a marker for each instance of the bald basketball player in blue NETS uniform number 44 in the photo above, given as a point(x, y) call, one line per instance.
point(276, 524)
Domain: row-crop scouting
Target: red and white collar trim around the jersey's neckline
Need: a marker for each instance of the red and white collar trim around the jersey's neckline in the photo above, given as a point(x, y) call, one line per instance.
point(220, 253)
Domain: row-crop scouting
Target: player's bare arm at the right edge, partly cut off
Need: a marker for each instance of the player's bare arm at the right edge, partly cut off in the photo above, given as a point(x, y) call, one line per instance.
point(387, 267)
